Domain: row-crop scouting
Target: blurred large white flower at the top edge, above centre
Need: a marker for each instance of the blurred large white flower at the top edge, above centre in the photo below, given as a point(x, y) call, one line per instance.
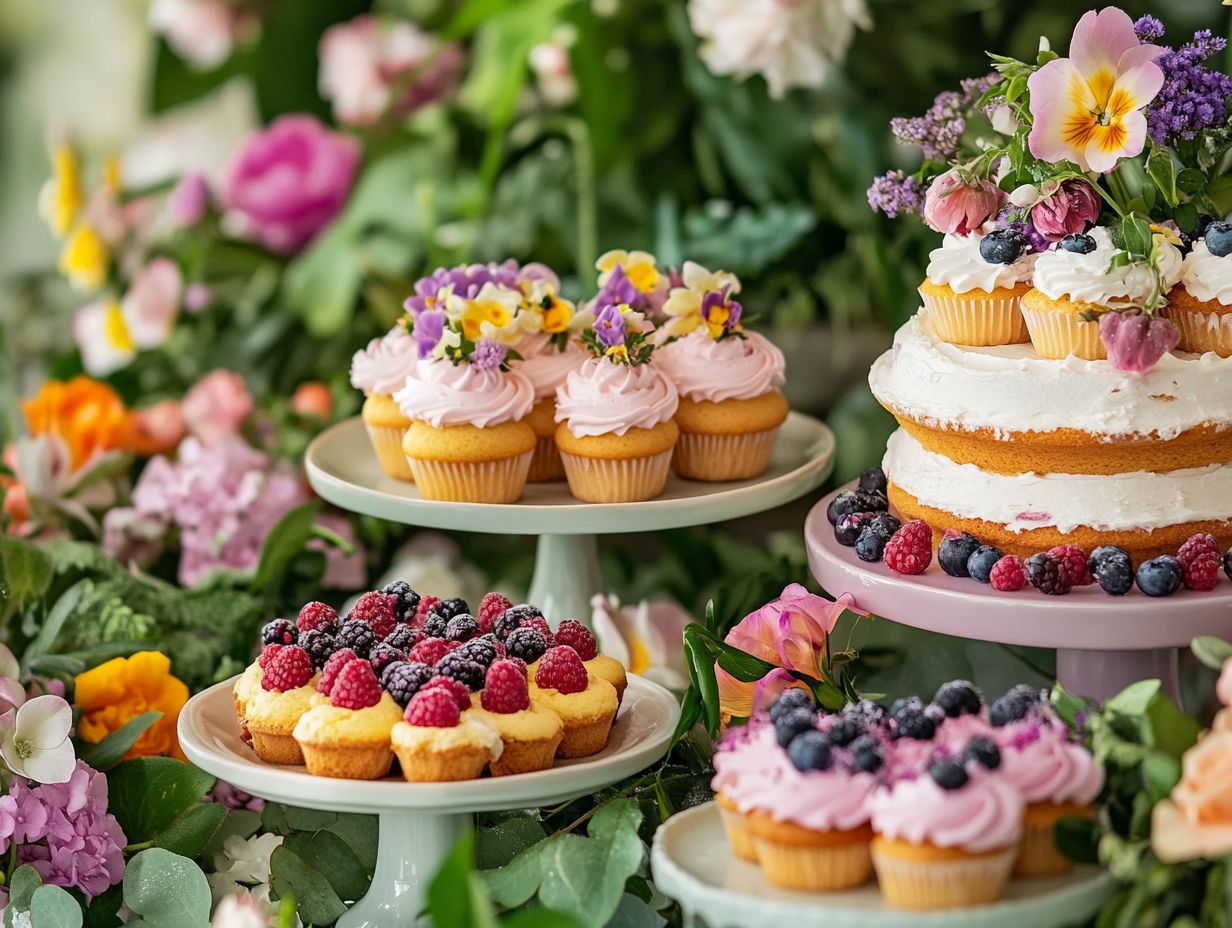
point(792, 44)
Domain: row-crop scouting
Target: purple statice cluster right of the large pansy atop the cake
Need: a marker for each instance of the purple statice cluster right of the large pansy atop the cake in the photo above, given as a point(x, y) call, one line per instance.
point(1193, 98)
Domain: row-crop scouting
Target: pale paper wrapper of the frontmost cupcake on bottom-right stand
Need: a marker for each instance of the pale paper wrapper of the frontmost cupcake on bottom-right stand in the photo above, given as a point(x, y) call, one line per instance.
point(926, 885)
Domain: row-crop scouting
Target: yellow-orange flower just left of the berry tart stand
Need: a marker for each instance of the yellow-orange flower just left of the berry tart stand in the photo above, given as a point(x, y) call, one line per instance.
point(114, 693)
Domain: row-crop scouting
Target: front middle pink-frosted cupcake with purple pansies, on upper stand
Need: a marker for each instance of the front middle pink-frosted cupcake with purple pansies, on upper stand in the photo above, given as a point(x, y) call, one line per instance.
point(615, 415)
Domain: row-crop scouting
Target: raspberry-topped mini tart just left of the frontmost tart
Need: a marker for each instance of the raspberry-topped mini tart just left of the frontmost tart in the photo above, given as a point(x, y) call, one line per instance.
point(349, 738)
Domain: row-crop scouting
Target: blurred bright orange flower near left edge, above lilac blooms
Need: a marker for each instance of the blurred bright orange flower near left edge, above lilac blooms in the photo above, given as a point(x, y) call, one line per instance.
point(89, 416)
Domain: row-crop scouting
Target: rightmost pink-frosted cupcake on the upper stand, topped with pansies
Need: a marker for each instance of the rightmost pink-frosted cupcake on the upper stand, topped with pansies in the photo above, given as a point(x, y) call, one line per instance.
point(730, 380)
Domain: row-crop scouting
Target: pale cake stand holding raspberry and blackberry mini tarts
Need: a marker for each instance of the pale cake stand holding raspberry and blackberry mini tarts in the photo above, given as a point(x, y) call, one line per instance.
point(421, 823)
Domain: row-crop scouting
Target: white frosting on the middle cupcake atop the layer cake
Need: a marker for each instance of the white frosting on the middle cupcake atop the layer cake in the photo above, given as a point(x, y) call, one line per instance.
point(1088, 279)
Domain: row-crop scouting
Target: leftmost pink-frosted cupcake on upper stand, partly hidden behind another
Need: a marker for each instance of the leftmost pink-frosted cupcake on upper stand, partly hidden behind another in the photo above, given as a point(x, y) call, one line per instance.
point(380, 370)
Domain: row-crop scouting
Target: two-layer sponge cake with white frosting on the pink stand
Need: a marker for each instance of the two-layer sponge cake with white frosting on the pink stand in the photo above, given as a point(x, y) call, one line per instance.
point(1027, 453)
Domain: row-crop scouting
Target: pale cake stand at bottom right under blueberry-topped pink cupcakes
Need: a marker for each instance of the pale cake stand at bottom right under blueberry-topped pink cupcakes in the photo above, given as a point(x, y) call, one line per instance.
point(694, 866)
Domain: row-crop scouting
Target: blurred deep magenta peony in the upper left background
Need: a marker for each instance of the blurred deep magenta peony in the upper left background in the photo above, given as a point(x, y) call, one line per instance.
point(290, 182)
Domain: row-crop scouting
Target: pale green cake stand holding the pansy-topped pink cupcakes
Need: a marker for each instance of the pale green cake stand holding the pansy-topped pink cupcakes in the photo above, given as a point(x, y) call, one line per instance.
point(343, 470)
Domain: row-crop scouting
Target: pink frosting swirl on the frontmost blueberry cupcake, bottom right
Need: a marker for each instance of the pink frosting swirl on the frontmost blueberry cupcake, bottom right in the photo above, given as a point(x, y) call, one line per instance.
point(985, 815)
